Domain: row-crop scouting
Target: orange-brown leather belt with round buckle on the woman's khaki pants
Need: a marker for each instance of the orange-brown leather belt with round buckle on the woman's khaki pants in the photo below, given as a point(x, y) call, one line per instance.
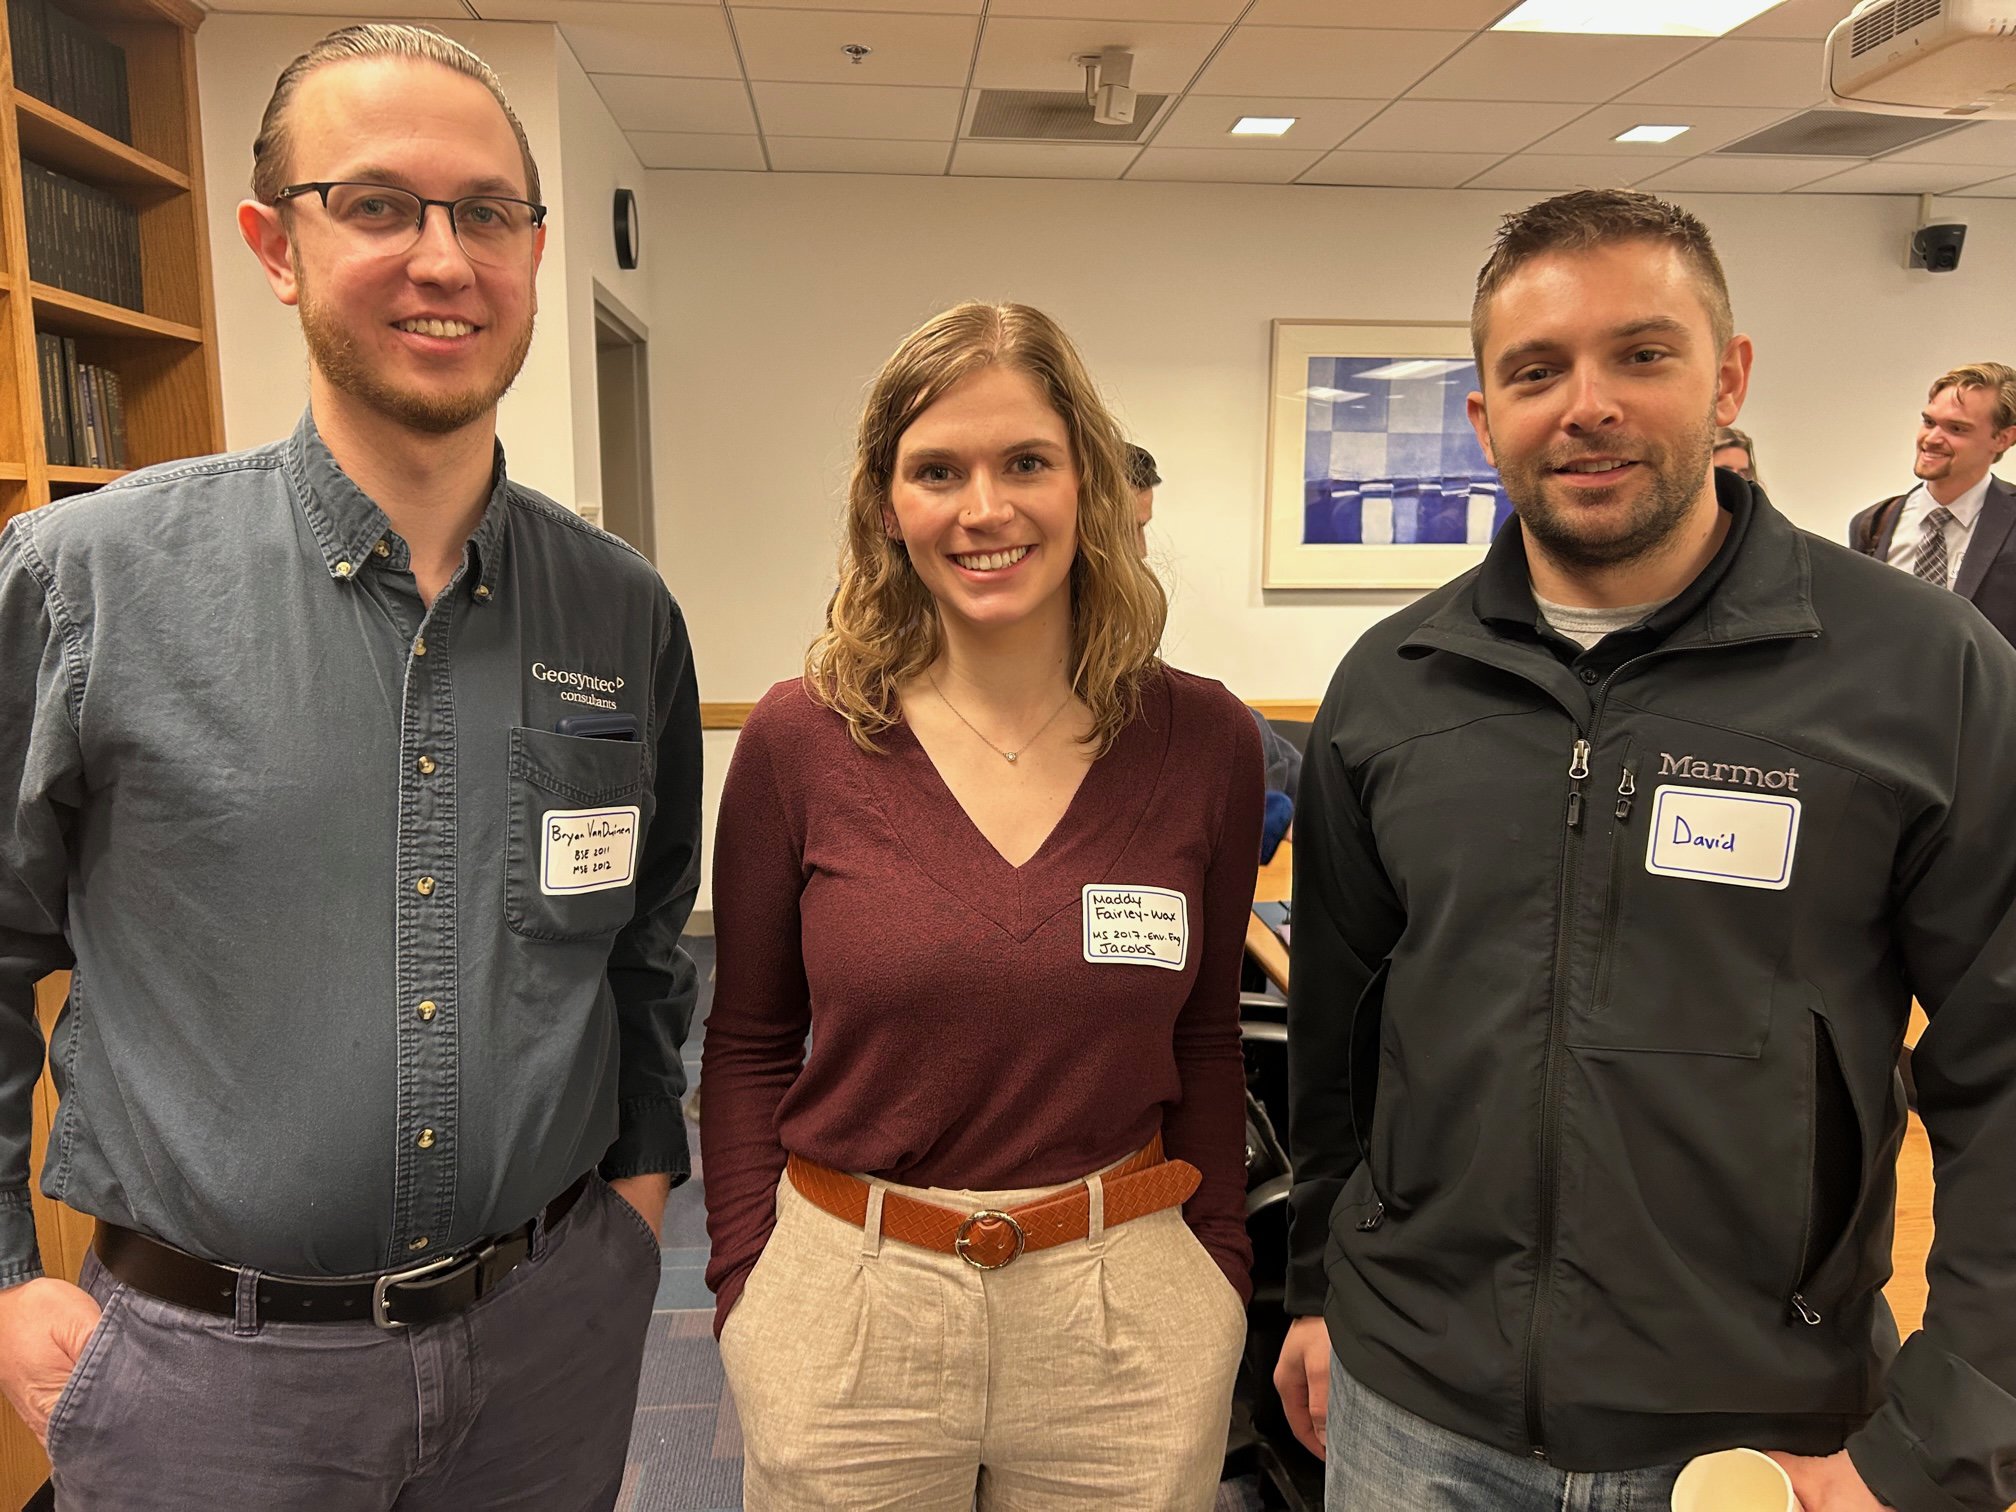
point(991, 1239)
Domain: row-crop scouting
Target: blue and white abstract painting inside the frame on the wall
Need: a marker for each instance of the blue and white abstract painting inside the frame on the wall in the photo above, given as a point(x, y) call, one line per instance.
point(1390, 459)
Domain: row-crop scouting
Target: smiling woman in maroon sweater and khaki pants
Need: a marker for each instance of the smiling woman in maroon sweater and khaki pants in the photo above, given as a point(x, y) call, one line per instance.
point(985, 1235)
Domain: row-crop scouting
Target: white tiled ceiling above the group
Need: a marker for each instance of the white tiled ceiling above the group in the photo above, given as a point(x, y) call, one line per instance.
point(1402, 94)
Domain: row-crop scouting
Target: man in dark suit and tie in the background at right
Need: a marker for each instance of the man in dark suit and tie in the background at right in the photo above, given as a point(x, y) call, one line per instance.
point(1959, 527)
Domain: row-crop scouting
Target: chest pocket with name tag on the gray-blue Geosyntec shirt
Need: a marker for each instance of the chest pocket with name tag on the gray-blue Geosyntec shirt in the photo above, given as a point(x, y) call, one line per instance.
point(578, 828)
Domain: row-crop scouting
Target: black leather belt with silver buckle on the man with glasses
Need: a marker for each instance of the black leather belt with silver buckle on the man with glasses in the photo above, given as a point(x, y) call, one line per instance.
point(400, 1299)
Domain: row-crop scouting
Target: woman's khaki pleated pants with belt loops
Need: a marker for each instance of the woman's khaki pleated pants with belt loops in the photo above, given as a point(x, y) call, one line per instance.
point(870, 1374)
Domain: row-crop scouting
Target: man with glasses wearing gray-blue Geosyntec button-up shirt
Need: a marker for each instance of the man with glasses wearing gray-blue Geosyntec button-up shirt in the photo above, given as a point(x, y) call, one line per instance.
point(360, 787)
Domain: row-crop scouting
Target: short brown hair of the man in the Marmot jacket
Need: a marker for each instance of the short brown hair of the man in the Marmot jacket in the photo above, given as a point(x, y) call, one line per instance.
point(1590, 219)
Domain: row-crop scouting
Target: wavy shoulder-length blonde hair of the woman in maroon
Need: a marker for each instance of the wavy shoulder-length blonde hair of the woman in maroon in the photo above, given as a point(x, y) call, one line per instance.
point(882, 624)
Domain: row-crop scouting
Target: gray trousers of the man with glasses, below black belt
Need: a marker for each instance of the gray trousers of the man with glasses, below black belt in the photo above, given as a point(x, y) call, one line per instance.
point(523, 1400)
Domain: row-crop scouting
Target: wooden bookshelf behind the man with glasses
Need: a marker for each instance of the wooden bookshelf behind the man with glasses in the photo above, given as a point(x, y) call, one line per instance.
point(166, 358)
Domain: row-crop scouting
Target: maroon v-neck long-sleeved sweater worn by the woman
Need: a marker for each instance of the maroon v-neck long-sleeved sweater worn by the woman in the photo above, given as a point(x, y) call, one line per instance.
point(961, 1035)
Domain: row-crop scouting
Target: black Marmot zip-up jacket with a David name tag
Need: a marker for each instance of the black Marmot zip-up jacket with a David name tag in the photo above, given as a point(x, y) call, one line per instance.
point(1596, 1152)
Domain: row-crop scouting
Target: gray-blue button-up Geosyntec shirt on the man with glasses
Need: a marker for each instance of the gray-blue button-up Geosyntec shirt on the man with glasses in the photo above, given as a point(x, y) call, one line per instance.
point(374, 955)
